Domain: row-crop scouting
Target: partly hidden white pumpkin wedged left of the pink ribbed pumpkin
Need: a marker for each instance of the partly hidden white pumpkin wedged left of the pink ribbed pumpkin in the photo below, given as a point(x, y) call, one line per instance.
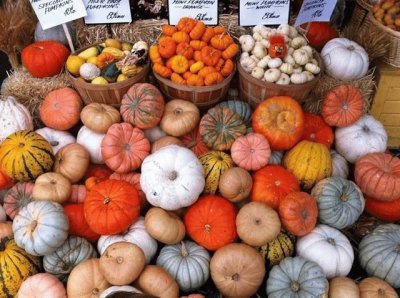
point(92, 142)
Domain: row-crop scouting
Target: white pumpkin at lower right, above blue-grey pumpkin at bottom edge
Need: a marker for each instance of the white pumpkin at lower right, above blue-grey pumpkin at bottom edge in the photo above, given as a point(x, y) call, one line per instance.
point(329, 248)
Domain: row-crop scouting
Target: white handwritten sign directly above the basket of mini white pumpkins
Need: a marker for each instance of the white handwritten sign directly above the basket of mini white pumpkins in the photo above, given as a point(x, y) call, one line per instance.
point(267, 12)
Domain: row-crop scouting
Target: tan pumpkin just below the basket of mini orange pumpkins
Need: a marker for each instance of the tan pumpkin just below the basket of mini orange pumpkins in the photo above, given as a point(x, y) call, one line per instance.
point(180, 117)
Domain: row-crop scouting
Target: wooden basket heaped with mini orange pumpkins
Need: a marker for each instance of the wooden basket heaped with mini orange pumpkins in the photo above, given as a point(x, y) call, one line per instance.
point(194, 62)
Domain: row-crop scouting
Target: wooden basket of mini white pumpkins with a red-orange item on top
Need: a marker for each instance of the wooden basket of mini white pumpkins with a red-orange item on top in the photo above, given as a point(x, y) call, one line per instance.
point(277, 61)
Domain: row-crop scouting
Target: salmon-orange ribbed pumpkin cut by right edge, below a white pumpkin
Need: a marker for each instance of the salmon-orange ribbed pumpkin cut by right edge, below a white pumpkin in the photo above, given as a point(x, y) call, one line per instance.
point(378, 176)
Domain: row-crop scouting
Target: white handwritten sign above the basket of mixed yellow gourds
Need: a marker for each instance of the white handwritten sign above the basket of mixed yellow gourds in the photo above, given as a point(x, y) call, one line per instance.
point(107, 11)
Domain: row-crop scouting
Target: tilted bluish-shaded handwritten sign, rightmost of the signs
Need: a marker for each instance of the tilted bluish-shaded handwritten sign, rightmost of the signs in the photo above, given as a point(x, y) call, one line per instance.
point(315, 11)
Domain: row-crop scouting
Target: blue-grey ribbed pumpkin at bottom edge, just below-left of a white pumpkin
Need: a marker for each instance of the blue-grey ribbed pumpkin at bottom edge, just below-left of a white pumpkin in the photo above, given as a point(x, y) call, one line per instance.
point(297, 277)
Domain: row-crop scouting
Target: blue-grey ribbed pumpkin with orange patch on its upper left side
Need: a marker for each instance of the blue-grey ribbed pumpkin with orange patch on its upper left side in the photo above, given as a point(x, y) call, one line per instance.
point(340, 202)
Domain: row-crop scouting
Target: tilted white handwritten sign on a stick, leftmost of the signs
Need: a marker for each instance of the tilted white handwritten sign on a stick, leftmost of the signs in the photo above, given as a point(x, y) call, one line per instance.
point(52, 13)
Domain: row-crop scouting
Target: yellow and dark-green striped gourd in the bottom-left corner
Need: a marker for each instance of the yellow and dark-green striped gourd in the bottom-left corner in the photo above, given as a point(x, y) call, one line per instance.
point(15, 266)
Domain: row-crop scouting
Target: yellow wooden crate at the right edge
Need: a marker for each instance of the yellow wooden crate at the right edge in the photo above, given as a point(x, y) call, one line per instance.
point(386, 103)
